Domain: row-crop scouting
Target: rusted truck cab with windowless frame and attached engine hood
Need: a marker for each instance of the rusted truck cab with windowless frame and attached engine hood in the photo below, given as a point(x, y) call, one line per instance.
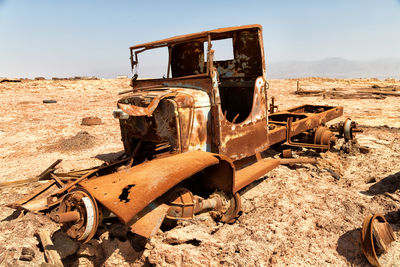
point(203, 103)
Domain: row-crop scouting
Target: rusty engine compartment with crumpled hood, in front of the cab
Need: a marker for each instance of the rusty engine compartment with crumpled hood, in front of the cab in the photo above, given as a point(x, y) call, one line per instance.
point(175, 115)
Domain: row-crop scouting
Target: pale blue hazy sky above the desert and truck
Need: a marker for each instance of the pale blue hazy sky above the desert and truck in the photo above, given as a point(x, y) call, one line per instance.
point(66, 38)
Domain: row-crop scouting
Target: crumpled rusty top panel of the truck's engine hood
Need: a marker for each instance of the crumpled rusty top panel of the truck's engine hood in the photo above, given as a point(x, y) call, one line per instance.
point(184, 98)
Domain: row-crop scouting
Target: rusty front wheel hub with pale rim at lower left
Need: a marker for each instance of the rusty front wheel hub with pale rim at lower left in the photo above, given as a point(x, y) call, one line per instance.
point(84, 226)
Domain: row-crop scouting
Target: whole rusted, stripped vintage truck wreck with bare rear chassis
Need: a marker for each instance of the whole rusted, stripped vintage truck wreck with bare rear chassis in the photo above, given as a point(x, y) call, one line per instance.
point(193, 140)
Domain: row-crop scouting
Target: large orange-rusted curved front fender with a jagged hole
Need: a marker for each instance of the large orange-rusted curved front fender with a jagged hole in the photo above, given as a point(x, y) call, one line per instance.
point(127, 192)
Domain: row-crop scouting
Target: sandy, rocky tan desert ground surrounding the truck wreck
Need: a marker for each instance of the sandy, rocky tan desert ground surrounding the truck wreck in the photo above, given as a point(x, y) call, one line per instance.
point(296, 216)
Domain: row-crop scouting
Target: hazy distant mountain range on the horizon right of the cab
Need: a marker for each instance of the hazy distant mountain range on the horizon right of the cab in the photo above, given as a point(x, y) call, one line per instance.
point(335, 68)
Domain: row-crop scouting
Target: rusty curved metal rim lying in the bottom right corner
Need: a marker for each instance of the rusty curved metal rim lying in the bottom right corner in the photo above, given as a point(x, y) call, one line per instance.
point(376, 237)
